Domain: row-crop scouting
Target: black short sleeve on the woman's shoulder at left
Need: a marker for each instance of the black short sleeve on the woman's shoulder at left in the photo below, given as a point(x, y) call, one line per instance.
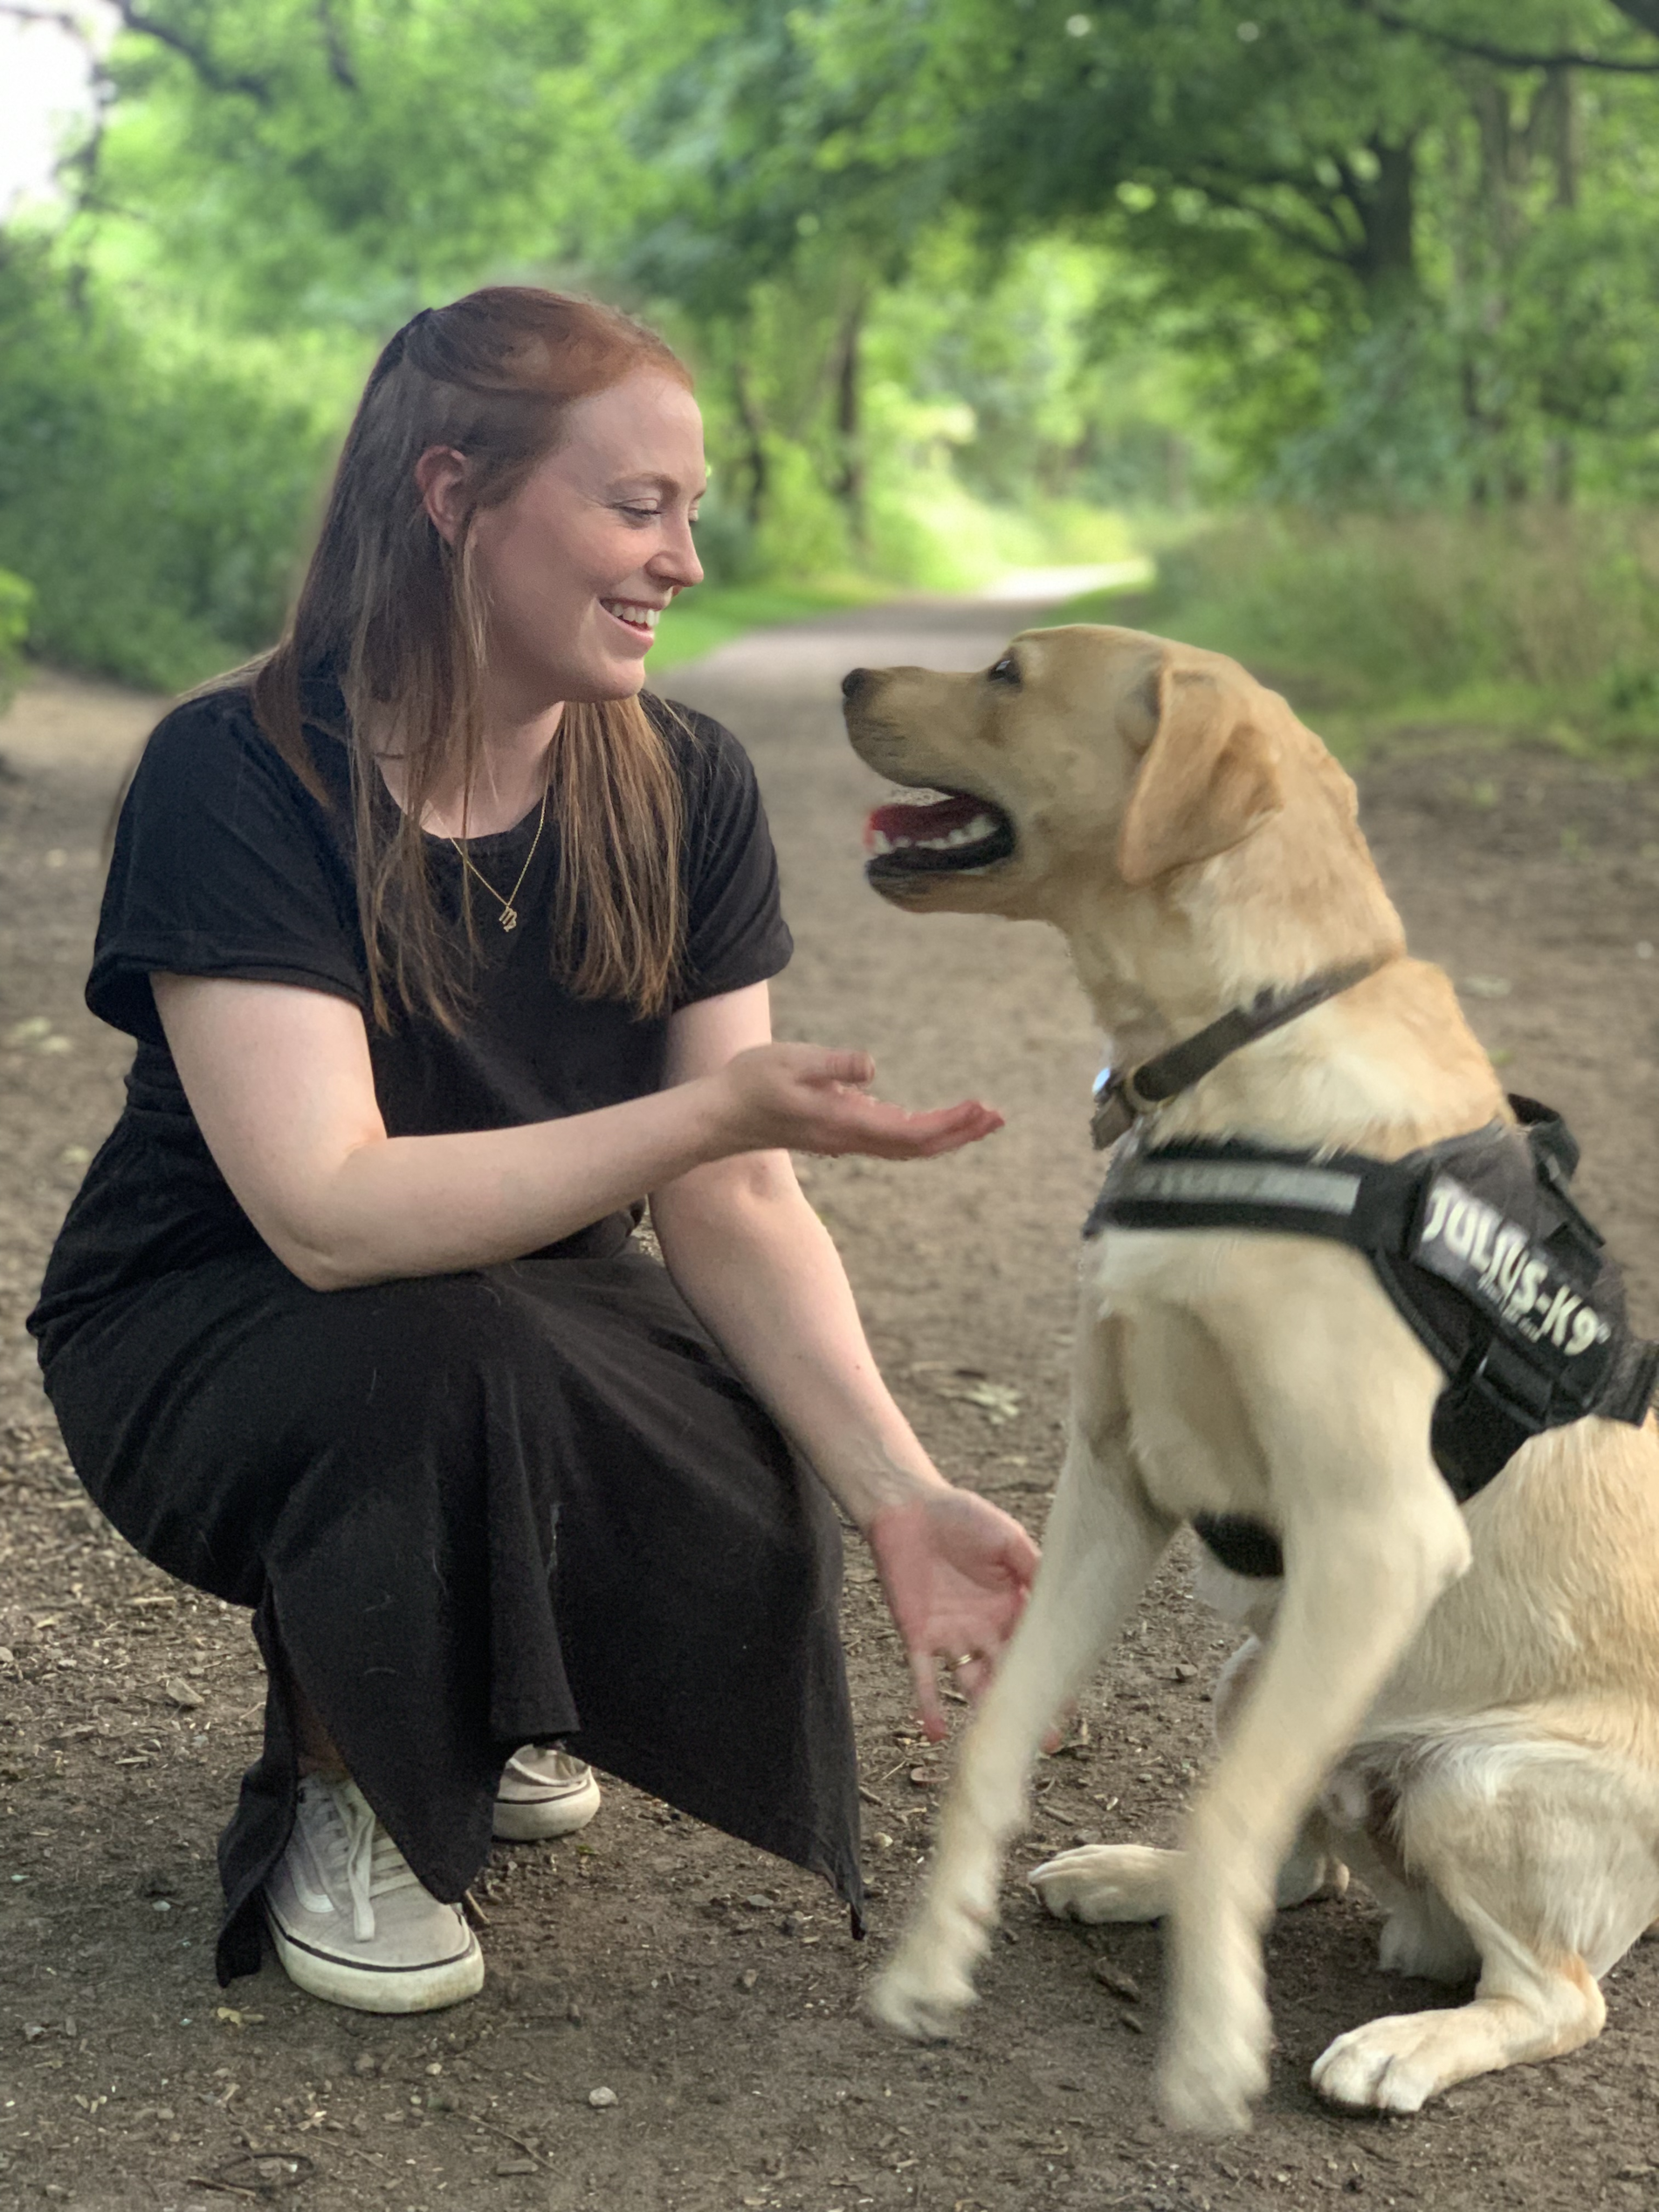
point(225, 866)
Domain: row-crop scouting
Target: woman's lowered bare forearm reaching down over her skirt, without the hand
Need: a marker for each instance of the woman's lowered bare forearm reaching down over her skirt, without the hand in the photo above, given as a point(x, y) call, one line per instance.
point(764, 1277)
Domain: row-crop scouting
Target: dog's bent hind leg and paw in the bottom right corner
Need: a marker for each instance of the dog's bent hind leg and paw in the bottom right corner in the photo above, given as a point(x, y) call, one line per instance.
point(1543, 1855)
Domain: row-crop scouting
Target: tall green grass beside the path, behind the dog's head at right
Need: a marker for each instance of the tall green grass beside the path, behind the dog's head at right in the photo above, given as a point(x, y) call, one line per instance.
point(1541, 618)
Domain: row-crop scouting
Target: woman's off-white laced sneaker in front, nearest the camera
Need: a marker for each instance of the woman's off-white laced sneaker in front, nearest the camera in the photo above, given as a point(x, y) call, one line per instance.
point(353, 1923)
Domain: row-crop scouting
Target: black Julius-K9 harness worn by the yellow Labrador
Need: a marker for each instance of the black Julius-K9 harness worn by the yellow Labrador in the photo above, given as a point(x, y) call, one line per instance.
point(1481, 1246)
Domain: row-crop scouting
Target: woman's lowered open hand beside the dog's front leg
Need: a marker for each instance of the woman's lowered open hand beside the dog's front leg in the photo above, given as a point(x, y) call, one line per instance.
point(957, 1574)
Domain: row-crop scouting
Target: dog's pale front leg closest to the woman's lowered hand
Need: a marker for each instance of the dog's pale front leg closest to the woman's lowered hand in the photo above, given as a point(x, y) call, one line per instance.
point(1100, 1550)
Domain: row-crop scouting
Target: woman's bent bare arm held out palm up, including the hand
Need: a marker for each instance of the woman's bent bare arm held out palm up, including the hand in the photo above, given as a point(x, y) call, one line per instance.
point(282, 1089)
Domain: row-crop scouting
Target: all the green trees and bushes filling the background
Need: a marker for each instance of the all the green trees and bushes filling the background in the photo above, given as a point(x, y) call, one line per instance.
point(963, 282)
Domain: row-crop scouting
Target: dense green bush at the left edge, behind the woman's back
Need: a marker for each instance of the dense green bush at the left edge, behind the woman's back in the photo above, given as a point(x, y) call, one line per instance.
point(156, 501)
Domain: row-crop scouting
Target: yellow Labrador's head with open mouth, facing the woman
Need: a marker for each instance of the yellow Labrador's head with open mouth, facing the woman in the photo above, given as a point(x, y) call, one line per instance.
point(1078, 751)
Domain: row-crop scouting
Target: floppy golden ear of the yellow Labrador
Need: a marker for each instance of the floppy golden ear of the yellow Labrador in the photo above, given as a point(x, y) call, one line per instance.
point(1209, 780)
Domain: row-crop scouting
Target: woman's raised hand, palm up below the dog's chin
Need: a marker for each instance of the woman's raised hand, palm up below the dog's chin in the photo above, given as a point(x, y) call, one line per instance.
point(808, 1098)
